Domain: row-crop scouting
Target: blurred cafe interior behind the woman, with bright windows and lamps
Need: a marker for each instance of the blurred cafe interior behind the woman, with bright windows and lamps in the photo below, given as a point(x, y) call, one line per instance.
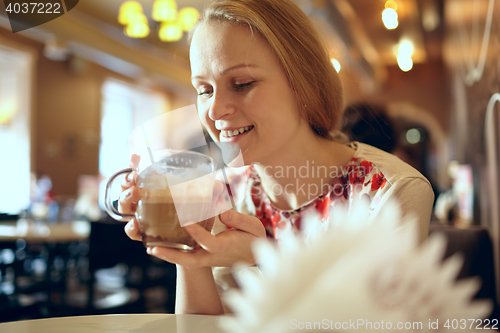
point(421, 80)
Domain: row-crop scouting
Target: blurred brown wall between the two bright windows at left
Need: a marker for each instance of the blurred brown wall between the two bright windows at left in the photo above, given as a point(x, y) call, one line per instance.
point(67, 116)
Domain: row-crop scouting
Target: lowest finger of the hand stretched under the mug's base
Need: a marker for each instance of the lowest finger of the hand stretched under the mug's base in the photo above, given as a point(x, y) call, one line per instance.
point(196, 259)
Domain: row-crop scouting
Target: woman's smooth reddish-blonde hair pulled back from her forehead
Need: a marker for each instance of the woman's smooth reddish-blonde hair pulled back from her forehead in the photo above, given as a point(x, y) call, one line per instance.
point(300, 50)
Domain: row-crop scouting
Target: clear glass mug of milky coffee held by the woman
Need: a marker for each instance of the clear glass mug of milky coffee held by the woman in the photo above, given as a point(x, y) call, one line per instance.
point(174, 191)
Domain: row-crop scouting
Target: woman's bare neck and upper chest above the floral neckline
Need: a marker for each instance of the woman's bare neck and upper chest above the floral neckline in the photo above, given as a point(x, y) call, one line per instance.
point(301, 173)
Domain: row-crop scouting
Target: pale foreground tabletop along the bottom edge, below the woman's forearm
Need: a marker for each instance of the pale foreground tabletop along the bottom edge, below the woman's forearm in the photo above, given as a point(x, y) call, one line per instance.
point(133, 323)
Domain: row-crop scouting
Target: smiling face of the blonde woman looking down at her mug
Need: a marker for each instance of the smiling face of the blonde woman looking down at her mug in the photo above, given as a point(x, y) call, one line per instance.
point(244, 95)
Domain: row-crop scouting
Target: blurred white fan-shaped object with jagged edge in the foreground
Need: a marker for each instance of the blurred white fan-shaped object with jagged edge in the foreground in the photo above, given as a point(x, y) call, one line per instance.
point(362, 269)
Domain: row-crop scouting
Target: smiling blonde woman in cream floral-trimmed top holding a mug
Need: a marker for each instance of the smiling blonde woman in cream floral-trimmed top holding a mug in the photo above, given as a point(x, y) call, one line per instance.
point(266, 83)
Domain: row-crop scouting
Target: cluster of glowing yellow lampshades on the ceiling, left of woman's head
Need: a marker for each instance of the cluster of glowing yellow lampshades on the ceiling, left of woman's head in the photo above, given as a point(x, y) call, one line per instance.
point(173, 23)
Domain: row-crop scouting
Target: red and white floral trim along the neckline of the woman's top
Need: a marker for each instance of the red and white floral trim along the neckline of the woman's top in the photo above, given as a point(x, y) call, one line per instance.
point(360, 179)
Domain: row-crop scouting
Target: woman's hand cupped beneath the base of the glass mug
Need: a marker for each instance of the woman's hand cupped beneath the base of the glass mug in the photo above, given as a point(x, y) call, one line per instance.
point(224, 249)
